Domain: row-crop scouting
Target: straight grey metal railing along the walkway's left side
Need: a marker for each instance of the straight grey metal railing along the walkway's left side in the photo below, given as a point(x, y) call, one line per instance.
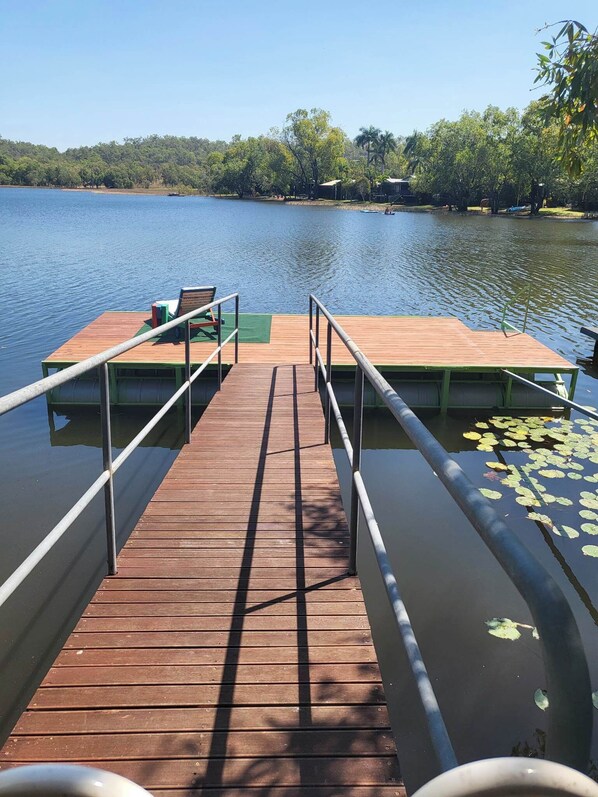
point(105, 480)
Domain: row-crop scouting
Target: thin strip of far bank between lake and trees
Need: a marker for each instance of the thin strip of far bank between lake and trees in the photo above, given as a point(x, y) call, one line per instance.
point(337, 204)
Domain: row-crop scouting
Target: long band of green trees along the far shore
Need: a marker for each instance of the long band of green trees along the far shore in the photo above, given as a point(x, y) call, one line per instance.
point(504, 156)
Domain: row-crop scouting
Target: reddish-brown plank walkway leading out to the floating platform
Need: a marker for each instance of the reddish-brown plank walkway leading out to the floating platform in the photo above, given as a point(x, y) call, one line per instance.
point(232, 654)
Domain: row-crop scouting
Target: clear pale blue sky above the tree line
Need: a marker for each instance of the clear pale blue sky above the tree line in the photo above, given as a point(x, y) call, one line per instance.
point(75, 72)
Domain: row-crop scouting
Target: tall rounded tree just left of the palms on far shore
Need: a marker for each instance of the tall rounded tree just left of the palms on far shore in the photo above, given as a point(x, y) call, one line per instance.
point(316, 148)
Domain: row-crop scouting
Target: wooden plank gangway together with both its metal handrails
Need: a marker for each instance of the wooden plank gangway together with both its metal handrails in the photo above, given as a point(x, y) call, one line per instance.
point(230, 652)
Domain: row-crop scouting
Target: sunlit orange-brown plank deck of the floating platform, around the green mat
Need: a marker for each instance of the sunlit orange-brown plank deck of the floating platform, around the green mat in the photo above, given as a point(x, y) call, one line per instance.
point(407, 342)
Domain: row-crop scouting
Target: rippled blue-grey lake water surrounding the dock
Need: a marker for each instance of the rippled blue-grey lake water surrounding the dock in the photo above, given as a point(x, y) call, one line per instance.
point(67, 256)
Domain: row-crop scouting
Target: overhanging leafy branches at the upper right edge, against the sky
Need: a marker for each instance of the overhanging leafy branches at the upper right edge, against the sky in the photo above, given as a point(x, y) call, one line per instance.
point(570, 68)
